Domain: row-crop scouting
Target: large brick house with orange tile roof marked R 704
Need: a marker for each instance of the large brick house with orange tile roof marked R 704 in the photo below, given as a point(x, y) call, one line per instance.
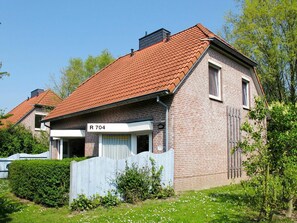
point(187, 92)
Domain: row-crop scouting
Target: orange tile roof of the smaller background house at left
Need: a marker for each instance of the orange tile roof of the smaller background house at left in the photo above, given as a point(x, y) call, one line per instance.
point(46, 98)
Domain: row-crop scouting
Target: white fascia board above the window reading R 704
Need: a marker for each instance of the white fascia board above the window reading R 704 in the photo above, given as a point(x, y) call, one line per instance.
point(120, 127)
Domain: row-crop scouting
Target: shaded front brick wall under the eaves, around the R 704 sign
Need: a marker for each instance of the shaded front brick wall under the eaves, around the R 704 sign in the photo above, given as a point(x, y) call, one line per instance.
point(146, 110)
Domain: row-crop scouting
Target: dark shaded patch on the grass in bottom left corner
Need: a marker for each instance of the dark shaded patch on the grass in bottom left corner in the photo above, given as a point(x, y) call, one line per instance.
point(7, 206)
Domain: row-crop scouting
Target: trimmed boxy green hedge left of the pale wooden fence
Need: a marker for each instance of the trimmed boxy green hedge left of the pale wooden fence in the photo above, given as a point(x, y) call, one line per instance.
point(42, 181)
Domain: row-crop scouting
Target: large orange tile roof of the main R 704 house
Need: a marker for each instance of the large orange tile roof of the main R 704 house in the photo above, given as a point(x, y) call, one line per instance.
point(159, 67)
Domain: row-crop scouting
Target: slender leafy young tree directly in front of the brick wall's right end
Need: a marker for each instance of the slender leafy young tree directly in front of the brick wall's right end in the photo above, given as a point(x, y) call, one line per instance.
point(262, 185)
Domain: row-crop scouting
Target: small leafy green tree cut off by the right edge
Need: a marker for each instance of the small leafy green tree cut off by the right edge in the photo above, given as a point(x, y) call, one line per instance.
point(282, 136)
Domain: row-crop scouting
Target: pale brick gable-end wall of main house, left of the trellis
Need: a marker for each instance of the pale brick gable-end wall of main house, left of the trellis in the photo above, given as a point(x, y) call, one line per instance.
point(200, 123)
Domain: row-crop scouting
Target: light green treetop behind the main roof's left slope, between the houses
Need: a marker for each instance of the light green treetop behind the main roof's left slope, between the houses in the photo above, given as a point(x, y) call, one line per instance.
point(78, 71)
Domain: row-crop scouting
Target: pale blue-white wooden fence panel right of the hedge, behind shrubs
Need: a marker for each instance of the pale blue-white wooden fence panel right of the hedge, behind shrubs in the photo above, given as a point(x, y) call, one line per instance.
point(96, 175)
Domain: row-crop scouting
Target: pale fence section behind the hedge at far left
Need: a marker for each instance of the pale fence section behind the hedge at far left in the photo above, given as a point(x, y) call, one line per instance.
point(4, 162)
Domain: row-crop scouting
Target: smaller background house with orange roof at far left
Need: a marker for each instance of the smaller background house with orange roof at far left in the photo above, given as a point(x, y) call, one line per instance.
point(31, 111)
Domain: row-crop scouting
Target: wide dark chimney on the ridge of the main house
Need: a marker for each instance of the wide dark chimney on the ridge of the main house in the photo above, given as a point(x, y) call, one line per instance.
point(153, 38)
